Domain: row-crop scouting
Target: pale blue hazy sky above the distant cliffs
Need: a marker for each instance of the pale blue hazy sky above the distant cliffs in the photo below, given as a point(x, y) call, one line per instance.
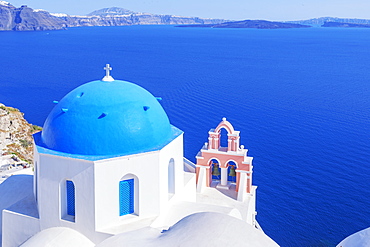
point(226, 9)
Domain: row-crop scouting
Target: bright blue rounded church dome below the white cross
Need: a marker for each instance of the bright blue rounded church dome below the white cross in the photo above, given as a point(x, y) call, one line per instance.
point(106, 117)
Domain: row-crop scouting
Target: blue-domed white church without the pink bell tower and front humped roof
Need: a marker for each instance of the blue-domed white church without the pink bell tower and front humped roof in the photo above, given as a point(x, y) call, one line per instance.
point(107, 162)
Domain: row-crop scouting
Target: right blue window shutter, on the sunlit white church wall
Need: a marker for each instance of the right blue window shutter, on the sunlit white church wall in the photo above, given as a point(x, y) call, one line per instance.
point(126, 197)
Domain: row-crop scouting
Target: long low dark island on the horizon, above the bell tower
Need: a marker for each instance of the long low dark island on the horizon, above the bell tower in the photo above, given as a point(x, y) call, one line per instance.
point(259, 24)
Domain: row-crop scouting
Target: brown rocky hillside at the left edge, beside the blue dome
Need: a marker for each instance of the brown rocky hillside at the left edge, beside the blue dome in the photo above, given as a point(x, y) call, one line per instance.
point(16, 134)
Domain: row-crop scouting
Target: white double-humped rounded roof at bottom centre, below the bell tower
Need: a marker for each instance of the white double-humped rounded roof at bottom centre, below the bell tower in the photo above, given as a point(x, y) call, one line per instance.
point(200, 229)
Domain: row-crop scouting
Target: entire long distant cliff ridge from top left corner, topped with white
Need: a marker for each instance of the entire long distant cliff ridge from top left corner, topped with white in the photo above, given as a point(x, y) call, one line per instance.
point(27, 19)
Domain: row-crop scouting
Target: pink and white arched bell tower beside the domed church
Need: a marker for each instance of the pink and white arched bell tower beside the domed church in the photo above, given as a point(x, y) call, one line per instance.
point(234, 152)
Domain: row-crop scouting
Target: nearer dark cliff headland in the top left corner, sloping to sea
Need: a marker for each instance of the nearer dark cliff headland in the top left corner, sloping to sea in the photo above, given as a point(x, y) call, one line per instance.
point(27, 19)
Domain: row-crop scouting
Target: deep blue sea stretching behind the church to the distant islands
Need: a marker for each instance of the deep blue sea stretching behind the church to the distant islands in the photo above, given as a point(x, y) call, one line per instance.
point(300, 97)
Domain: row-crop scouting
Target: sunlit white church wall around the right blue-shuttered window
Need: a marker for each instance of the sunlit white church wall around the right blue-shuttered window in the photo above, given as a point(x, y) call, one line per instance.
point(108, 174)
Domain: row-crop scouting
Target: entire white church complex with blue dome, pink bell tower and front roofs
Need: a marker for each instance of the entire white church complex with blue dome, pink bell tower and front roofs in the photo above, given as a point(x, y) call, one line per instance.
point(109, 170)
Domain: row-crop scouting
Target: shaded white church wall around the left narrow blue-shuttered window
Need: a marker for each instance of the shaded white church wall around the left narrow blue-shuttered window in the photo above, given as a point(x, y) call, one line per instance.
point(53, 172)
